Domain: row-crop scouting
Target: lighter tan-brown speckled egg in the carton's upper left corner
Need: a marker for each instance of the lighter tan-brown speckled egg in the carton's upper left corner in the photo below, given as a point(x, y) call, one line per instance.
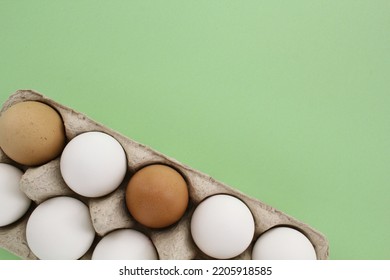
point(31, 133)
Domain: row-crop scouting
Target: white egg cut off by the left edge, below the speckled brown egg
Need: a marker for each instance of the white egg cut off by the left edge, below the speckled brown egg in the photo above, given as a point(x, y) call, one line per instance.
point(13, 202)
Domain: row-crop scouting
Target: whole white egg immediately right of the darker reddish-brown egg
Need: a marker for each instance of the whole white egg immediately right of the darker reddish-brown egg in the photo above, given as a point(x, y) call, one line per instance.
point(222, 226)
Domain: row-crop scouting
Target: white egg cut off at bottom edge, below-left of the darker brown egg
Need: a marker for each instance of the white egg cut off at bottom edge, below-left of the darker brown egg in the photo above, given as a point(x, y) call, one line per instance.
point(125, 244)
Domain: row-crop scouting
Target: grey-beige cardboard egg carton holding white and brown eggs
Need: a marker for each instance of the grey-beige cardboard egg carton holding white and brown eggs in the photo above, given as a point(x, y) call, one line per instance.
point(109, 213)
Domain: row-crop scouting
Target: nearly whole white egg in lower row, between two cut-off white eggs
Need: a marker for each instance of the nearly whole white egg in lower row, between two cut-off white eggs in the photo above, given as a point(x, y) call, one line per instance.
point(60, 229)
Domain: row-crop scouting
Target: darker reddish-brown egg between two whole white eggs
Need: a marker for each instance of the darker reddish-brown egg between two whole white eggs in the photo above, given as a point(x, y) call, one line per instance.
point(157, 196)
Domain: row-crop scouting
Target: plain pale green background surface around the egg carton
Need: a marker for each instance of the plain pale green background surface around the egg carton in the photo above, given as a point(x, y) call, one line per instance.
point(287, 101)
